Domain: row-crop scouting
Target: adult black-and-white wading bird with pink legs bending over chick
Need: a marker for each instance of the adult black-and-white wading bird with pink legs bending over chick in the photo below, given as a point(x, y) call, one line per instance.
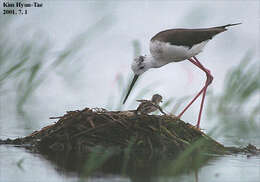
point(175, 45)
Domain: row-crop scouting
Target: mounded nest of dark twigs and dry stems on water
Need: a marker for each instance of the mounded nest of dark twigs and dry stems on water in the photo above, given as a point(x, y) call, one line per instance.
point(147, 135)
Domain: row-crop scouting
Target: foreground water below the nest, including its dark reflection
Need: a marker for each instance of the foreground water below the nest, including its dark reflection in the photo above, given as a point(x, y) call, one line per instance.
point(68, 167)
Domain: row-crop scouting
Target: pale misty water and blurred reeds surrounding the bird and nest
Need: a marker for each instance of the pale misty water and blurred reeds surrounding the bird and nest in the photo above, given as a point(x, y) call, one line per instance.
point(69, 55)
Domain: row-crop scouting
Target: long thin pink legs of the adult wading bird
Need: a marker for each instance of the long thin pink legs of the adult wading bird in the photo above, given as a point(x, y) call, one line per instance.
point(203, 90)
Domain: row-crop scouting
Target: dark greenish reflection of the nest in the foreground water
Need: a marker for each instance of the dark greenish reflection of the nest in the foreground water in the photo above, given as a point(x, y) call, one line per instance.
point(136, 168)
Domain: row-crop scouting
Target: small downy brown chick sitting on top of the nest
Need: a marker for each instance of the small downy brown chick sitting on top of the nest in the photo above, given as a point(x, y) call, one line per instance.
point(148, 106)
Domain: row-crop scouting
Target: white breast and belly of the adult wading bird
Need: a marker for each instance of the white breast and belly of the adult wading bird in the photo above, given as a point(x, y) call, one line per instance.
point(170, 53)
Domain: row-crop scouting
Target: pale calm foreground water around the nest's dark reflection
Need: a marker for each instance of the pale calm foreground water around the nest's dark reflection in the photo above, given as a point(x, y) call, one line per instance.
point(17, 164)
